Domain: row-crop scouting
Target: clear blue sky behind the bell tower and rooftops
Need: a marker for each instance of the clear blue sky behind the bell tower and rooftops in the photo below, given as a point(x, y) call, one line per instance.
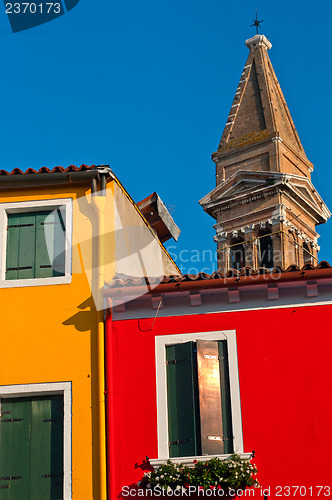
point(146, 87)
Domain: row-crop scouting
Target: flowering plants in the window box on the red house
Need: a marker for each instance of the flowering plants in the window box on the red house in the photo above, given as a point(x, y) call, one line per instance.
point(233, 473)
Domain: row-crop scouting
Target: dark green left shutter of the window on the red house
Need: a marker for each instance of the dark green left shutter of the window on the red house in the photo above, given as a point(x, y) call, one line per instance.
point(182, 400)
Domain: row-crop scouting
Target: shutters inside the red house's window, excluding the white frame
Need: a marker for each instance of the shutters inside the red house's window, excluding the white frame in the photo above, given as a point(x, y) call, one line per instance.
point(198, 401)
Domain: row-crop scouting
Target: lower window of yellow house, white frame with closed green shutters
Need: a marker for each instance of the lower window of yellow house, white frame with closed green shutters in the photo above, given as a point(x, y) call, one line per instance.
point(35, 441)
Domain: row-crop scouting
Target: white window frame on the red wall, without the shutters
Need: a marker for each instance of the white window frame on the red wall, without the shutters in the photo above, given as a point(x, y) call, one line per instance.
point(162, 412)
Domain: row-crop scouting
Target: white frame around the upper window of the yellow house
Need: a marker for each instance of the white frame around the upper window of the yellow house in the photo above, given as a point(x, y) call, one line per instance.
point(35, 206)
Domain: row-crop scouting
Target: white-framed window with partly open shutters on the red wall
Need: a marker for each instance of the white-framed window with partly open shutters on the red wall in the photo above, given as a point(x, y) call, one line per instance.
point(198, 398)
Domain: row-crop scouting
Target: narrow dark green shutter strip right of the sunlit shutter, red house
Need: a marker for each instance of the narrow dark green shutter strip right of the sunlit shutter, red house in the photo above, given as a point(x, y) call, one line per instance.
point(225, 397)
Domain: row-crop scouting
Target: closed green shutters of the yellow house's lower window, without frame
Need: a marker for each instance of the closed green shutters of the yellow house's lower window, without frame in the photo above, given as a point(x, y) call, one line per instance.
point(31, 448)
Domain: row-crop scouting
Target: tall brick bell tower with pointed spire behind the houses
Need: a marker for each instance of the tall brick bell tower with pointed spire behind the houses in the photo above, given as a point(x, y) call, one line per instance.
point(264, 203)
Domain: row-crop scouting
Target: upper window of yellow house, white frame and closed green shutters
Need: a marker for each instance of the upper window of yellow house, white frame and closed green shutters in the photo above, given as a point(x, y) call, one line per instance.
point(37, 247)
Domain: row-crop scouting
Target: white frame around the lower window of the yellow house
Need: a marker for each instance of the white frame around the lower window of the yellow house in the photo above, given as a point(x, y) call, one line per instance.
point(50, 389)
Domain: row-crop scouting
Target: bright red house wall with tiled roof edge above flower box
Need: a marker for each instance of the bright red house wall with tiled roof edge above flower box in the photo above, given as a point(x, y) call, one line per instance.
point(276, 327)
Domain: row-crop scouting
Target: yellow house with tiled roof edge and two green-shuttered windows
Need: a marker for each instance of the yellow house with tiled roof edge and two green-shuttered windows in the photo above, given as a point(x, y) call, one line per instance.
point(64, 233)
